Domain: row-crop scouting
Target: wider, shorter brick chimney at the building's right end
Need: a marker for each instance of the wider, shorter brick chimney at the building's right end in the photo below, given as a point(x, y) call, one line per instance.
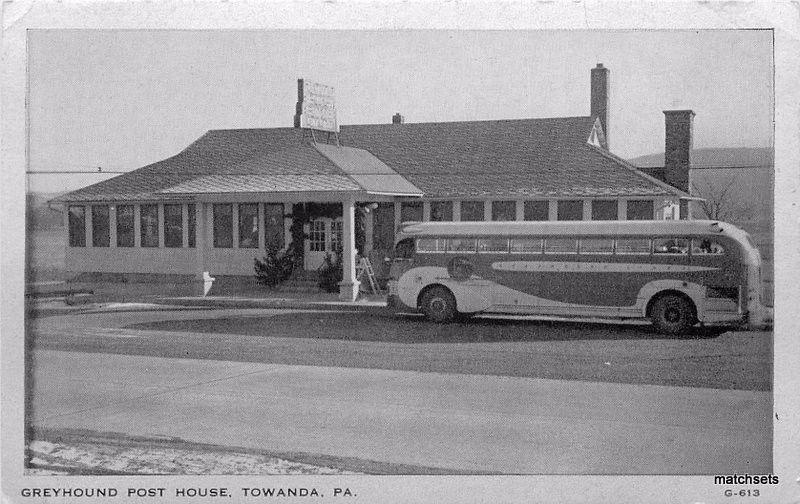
point(678, 148)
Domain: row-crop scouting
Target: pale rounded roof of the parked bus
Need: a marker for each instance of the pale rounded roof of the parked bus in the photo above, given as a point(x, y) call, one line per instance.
point(621, 227)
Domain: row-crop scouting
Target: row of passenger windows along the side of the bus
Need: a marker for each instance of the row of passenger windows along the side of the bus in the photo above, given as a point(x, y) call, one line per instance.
point(607, 246)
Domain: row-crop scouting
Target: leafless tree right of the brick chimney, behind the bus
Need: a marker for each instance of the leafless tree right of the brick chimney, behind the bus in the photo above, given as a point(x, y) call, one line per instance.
point(721, 201)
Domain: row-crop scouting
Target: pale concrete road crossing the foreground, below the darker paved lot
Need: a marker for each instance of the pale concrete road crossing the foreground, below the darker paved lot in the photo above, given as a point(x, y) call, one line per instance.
point(449, 421)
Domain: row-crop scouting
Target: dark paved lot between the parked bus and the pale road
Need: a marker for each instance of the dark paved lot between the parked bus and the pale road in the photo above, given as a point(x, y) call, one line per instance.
point(522, 348)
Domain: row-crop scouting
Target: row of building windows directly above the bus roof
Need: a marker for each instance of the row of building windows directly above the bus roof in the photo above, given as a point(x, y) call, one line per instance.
point(532, 210)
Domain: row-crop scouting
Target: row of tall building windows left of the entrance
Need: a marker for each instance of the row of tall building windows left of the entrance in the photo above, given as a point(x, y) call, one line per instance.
point(173, 223)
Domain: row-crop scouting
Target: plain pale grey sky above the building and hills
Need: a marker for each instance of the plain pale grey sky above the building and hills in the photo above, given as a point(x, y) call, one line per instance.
point(124, 99)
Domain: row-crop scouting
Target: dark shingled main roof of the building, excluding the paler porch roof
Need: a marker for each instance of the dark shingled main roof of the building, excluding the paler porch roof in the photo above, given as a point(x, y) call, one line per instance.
point(510, 158)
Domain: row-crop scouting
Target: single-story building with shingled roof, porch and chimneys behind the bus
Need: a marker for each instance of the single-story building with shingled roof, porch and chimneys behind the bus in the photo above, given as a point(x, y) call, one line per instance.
point(232, 194)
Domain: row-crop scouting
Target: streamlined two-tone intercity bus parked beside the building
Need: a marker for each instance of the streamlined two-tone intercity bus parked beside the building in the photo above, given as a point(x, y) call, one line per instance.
point(676, 273)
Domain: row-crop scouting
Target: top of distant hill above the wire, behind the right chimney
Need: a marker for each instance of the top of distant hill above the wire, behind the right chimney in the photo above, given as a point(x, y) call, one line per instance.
point(716, 157)
